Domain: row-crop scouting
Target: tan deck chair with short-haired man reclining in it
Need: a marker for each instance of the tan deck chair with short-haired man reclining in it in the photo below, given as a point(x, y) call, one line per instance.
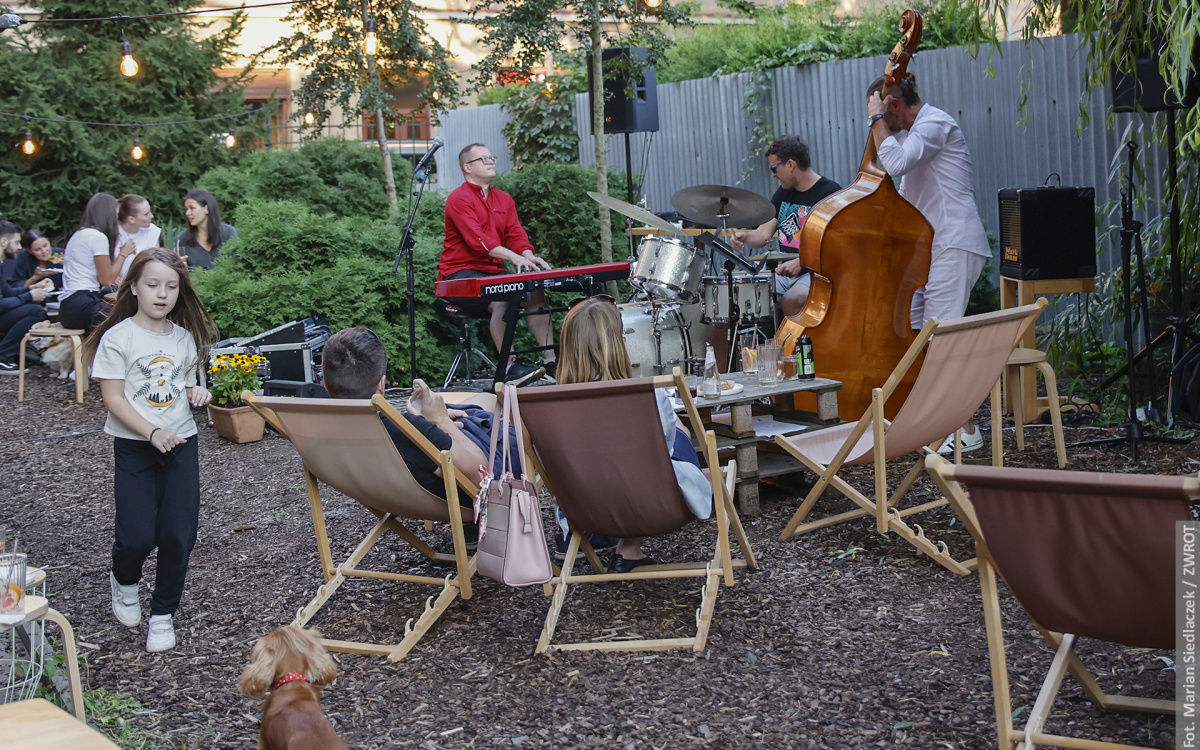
point(344, 445)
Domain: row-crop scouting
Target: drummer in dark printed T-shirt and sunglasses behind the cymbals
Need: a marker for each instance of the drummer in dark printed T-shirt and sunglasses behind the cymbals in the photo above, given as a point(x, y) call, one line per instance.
point(800, 190)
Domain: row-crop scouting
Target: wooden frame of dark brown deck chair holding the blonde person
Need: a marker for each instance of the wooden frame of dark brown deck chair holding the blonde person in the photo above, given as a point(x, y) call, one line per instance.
point(713, 571)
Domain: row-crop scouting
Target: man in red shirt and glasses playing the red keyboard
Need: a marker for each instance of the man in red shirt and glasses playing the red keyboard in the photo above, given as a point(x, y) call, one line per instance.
point(482, 233)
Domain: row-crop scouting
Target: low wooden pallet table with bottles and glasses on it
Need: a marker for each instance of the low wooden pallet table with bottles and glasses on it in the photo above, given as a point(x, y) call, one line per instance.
point(741, 436)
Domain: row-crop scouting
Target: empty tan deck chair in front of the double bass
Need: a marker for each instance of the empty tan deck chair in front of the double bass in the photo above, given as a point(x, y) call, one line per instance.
point(964, 362)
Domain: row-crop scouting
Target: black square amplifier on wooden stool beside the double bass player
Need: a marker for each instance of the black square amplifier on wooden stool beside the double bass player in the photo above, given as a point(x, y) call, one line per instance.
point(1048, 233)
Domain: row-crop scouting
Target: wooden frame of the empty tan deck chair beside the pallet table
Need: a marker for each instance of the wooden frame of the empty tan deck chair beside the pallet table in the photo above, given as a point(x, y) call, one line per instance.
point(885, 508)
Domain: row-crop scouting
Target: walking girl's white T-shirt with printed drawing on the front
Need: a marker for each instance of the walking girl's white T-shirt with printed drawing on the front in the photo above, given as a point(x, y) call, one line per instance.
point(157, 369)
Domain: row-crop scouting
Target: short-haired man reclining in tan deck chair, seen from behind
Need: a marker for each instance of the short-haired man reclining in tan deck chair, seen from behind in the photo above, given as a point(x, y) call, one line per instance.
point(355, 364)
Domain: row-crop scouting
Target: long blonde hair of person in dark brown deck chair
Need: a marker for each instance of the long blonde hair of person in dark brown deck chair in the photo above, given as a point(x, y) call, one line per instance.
point(592, 346)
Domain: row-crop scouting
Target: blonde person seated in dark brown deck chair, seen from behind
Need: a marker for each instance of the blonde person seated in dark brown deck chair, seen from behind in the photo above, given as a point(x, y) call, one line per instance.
point(592, 347)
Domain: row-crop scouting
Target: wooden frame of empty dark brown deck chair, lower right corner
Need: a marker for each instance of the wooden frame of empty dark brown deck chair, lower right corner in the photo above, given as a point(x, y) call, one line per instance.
point(1065, 661)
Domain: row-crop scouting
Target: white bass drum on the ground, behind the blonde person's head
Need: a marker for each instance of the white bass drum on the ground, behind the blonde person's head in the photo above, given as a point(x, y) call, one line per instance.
point(661, 338)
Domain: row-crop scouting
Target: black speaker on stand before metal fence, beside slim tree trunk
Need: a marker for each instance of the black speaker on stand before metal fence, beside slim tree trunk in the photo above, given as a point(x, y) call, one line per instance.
point(632, 92)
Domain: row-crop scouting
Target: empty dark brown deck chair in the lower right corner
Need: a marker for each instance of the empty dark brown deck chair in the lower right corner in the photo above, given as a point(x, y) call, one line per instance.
point(1087, 556)
